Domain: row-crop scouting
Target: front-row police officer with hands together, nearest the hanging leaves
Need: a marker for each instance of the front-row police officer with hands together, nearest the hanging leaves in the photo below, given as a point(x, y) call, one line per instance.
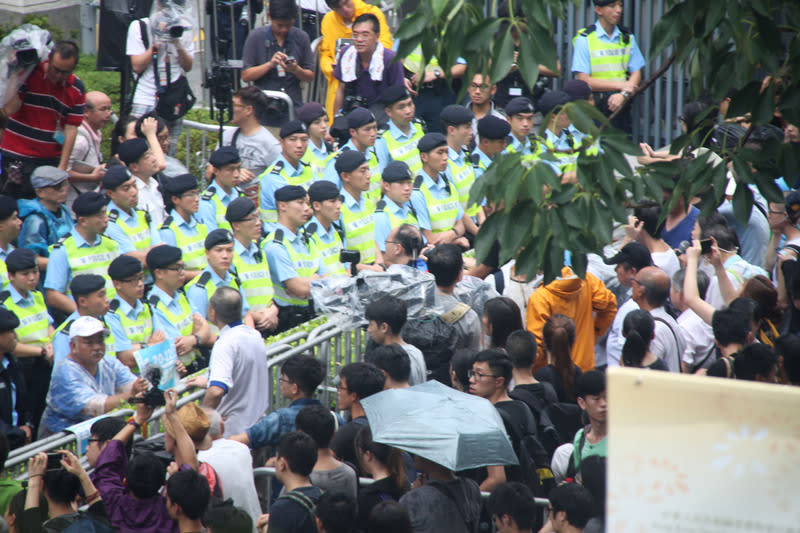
point(434, 198)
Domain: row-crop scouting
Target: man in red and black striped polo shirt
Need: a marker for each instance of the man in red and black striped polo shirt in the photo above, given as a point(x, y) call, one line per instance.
point(43, 120)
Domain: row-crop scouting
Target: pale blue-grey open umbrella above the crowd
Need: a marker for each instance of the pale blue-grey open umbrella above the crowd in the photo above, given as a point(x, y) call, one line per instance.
point(450, 428)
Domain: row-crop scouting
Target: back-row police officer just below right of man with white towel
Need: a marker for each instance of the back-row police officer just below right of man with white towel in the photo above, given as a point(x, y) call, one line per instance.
point(398, 142)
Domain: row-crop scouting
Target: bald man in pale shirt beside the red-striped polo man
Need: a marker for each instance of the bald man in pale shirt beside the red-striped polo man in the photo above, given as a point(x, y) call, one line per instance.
point(86, 166)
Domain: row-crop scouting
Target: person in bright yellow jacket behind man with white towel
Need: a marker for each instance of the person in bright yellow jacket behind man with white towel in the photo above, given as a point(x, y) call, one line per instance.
point(337, 24)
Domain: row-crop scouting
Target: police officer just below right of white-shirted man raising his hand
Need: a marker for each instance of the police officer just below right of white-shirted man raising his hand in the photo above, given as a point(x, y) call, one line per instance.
point(182, 228)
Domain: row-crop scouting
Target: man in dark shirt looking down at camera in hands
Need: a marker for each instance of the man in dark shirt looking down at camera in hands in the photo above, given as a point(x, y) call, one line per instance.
point(277, 58)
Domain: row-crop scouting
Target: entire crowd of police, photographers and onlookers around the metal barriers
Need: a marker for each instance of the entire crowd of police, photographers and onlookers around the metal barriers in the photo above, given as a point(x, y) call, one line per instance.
point(101, 257)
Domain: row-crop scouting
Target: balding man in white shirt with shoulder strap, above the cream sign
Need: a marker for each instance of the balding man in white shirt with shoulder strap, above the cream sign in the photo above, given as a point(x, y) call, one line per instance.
point(651, 291)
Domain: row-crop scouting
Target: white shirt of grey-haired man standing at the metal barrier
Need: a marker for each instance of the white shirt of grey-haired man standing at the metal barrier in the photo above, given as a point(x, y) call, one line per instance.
point(239, 363)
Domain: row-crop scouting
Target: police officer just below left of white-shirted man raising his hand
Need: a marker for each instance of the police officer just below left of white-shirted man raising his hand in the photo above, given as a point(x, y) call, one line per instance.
point(129, 227)
